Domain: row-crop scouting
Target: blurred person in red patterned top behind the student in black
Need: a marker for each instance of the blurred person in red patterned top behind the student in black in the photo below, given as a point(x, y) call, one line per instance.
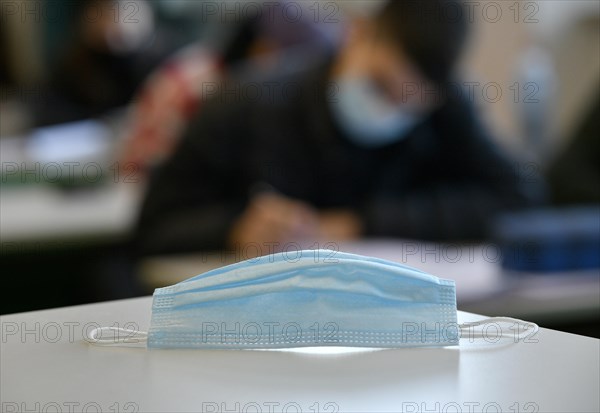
point(173, 93)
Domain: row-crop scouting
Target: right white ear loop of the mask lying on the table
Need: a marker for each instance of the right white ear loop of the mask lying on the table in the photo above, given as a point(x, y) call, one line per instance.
point(520, 330)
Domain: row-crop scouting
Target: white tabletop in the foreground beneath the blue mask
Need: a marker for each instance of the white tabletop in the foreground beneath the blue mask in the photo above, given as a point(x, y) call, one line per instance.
point(559, 373)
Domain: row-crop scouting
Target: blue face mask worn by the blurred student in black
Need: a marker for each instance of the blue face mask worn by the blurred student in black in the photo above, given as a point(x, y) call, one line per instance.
point(366, 117)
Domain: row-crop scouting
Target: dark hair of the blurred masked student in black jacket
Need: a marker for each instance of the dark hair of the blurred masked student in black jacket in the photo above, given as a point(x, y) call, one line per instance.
point(431, 32)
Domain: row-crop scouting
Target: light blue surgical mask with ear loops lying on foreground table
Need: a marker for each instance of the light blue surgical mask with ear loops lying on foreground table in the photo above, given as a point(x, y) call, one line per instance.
point(305, 299)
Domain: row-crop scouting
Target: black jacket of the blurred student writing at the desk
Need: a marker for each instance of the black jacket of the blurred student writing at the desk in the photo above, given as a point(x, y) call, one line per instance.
point(443, 181)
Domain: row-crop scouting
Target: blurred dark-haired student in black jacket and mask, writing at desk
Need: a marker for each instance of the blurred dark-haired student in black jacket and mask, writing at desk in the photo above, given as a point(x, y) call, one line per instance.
point(340, 150)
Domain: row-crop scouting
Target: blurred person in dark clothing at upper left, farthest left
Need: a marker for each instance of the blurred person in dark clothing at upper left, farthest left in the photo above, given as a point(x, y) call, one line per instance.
point(105, 59)
